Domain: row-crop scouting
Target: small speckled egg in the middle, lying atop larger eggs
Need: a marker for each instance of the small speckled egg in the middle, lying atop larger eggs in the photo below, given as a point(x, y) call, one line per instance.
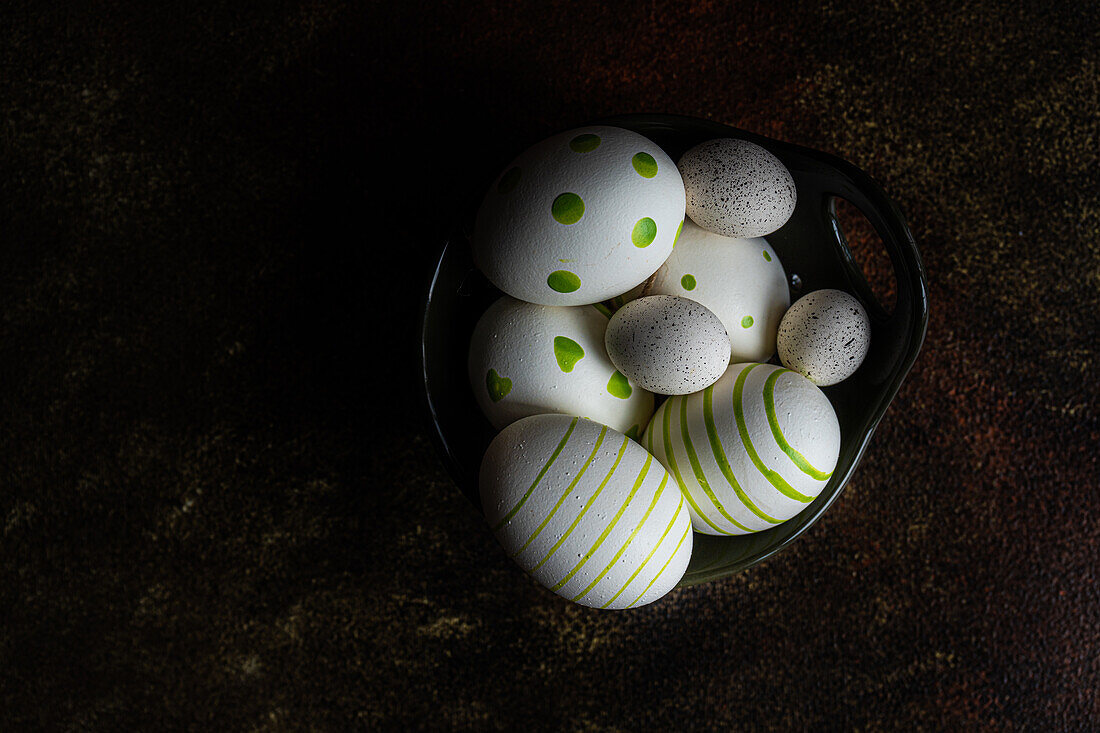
point(668, 345)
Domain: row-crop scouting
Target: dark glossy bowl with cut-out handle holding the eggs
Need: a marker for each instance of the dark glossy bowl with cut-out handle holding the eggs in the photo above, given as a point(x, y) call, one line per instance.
point(815, 254)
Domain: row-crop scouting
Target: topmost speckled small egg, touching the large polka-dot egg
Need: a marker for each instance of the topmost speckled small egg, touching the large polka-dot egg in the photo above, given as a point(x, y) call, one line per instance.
point(738, 189)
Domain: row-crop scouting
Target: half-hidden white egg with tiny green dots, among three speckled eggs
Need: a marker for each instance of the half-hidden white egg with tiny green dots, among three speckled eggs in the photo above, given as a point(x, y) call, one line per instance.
point(741, 280)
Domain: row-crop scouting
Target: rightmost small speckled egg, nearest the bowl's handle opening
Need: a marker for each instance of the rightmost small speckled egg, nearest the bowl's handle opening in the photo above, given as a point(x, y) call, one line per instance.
point(826, 336)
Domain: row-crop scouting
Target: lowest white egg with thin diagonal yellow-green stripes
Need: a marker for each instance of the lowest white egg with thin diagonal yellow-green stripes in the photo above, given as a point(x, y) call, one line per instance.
point(586, 511)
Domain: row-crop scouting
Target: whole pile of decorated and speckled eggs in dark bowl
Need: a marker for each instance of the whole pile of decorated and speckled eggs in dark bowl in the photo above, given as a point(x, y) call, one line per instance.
point(628, 276)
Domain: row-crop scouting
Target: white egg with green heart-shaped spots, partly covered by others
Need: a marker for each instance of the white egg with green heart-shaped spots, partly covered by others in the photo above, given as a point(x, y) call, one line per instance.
point(527, 359)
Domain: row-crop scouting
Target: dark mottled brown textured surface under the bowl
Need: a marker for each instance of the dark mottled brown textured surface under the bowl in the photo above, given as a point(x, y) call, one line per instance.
point(216, 224)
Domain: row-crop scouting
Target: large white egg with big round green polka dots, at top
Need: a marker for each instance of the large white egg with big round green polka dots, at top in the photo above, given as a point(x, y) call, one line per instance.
point(580, 218)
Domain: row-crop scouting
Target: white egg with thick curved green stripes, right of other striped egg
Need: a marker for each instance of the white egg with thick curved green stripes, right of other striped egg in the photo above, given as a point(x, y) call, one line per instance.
point(750, 452)
